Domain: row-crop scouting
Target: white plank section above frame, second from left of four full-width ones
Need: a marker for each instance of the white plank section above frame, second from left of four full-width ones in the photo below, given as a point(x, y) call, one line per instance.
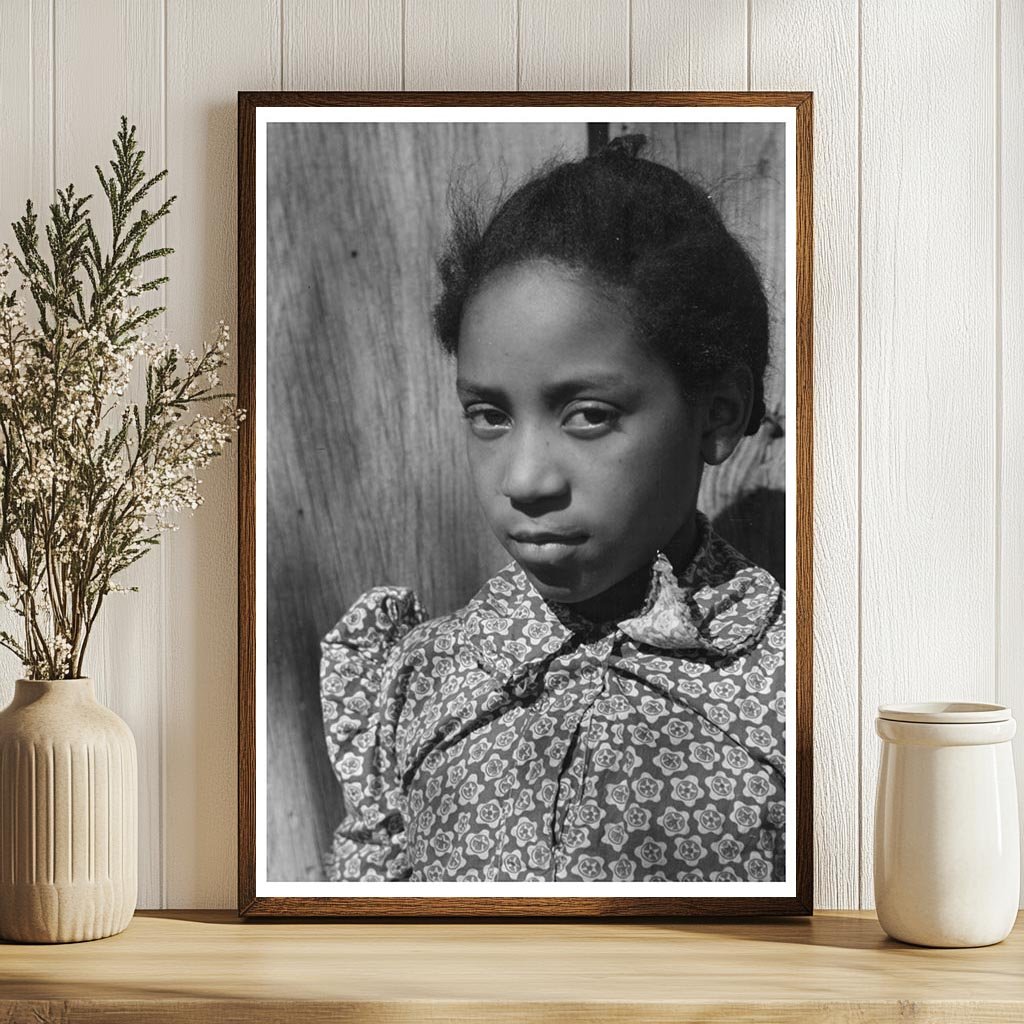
point(460, 45)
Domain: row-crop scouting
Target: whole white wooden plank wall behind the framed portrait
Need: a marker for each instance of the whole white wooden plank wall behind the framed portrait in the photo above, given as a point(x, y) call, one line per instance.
point(919, 324)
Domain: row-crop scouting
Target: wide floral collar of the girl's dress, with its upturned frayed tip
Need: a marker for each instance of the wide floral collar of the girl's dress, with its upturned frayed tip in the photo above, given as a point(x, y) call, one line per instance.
point(719, 606)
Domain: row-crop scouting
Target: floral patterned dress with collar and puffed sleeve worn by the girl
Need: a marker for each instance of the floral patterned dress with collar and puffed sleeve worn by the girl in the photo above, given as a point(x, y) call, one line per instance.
point(513, 741)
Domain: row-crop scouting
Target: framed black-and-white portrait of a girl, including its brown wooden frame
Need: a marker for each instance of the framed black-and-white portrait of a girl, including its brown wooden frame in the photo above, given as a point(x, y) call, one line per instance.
point(525, 504)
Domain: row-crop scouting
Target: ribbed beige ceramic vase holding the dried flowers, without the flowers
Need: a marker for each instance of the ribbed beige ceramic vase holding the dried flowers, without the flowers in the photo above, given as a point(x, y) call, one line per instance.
point(69, 798)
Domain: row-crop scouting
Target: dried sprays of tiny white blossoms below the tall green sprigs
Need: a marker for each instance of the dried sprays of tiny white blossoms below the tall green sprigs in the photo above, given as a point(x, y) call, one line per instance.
point(99, 500)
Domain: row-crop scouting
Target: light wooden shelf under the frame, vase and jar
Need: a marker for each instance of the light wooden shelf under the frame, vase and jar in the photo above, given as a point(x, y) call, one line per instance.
point(210, 967)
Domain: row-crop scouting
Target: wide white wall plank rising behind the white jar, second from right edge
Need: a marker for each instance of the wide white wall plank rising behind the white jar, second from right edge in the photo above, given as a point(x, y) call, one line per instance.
point(928, 400)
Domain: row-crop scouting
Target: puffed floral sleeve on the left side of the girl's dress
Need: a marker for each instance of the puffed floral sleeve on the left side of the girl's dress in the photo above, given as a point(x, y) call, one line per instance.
point(361, 702)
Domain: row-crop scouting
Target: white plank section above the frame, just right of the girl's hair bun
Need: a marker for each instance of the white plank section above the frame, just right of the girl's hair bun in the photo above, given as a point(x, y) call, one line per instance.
point(696, 46)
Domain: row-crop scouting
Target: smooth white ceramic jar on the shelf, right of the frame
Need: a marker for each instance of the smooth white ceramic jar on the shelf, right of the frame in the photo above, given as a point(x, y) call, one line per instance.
point(947, 841)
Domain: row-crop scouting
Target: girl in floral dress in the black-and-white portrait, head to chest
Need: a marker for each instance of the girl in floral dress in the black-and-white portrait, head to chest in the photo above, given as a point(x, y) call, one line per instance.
point(611, 706)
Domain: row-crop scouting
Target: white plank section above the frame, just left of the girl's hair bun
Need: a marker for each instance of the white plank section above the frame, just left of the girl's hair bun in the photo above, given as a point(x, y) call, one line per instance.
point(574, 45)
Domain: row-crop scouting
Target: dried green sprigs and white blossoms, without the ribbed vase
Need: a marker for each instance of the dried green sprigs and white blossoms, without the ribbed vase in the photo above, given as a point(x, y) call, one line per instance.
point(88, 480)
